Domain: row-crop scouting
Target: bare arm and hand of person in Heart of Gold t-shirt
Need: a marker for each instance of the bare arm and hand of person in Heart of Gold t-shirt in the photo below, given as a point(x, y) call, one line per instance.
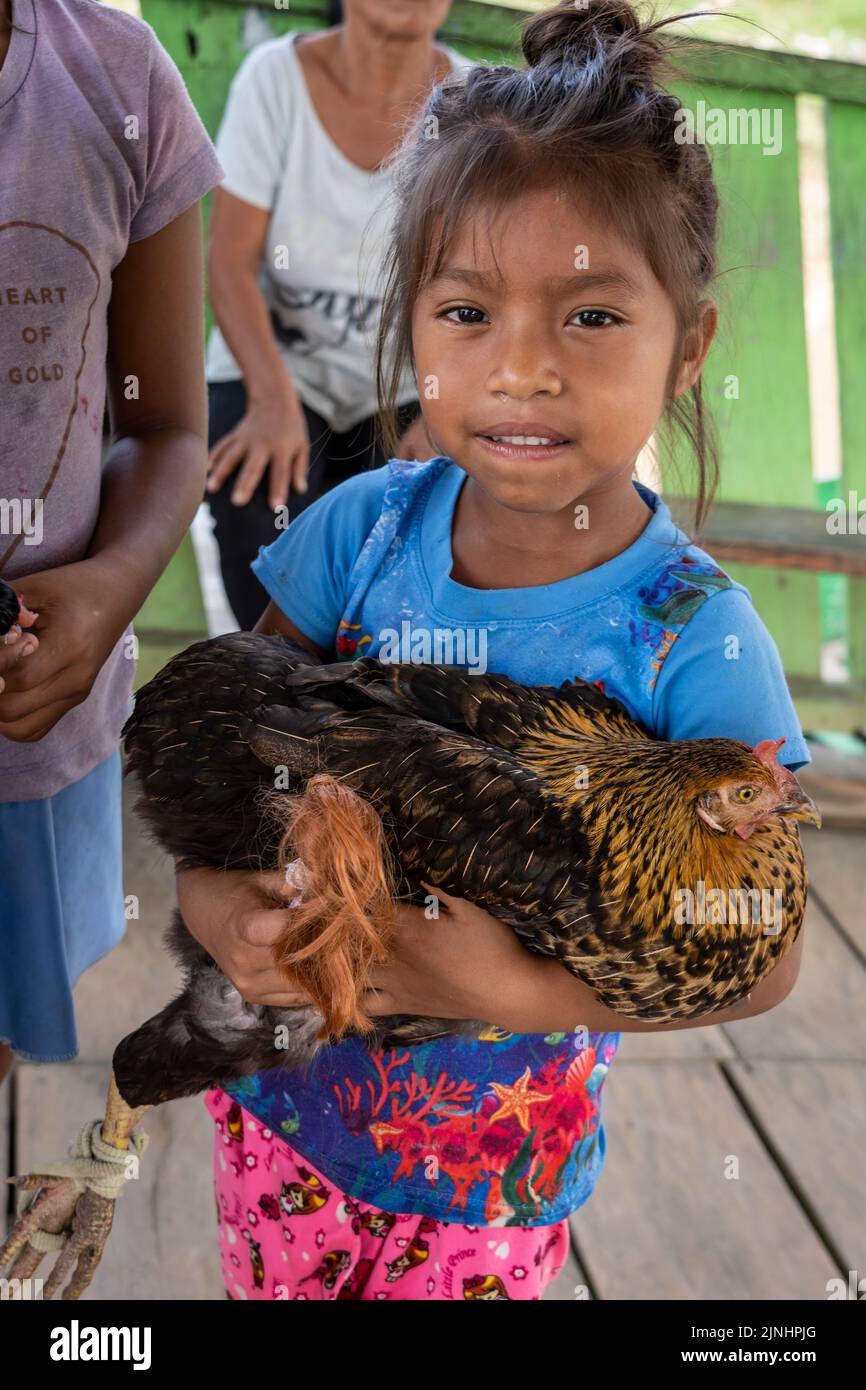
point(152, 482)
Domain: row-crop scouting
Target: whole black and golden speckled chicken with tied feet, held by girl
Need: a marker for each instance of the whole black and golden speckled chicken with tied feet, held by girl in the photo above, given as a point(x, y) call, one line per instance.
point(548, 807)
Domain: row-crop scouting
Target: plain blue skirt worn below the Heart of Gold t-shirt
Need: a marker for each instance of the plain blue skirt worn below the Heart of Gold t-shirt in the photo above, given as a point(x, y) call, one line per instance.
point(62, 907)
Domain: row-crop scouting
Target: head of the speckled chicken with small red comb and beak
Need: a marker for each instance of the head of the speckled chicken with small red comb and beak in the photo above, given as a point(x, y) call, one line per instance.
point(765, 790)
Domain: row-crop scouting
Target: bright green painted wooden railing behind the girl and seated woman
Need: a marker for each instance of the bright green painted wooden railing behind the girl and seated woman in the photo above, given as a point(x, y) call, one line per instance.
point(762, 341)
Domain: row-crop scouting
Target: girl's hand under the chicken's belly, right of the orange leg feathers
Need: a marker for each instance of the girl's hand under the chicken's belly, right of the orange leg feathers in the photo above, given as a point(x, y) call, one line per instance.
point(461, 965)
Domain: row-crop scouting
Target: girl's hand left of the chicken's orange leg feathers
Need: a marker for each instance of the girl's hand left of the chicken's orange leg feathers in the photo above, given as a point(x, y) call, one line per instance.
point(233, 914)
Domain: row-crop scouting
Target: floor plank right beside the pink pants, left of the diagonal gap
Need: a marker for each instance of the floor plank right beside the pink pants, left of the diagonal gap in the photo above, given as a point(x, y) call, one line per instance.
point(667, 1224)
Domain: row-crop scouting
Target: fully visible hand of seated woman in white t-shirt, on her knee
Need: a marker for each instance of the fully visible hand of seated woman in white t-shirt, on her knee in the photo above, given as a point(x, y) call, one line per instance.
point(273, 434)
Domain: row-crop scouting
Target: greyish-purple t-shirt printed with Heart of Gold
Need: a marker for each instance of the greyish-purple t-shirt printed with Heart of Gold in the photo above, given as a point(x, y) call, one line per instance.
point(99, 147)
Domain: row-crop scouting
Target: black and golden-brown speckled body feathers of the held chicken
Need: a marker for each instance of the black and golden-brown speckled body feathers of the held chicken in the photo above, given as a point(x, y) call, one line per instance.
point(479, 785)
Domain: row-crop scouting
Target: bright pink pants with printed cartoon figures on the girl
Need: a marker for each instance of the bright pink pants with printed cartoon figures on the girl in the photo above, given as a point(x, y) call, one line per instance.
point(287, 1232)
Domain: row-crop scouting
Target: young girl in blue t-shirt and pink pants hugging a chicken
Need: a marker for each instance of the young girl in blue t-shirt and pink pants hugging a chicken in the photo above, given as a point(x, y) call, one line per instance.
point(548, 276)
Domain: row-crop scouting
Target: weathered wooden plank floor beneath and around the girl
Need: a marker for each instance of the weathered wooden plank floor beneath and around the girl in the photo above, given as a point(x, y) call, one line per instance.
point(736, 1156)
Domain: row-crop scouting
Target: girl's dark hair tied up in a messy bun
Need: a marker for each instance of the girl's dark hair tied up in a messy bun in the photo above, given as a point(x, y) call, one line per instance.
point(587, 112)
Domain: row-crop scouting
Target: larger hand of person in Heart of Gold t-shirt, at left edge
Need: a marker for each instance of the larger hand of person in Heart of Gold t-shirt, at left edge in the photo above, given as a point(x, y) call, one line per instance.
point(81, 618)
